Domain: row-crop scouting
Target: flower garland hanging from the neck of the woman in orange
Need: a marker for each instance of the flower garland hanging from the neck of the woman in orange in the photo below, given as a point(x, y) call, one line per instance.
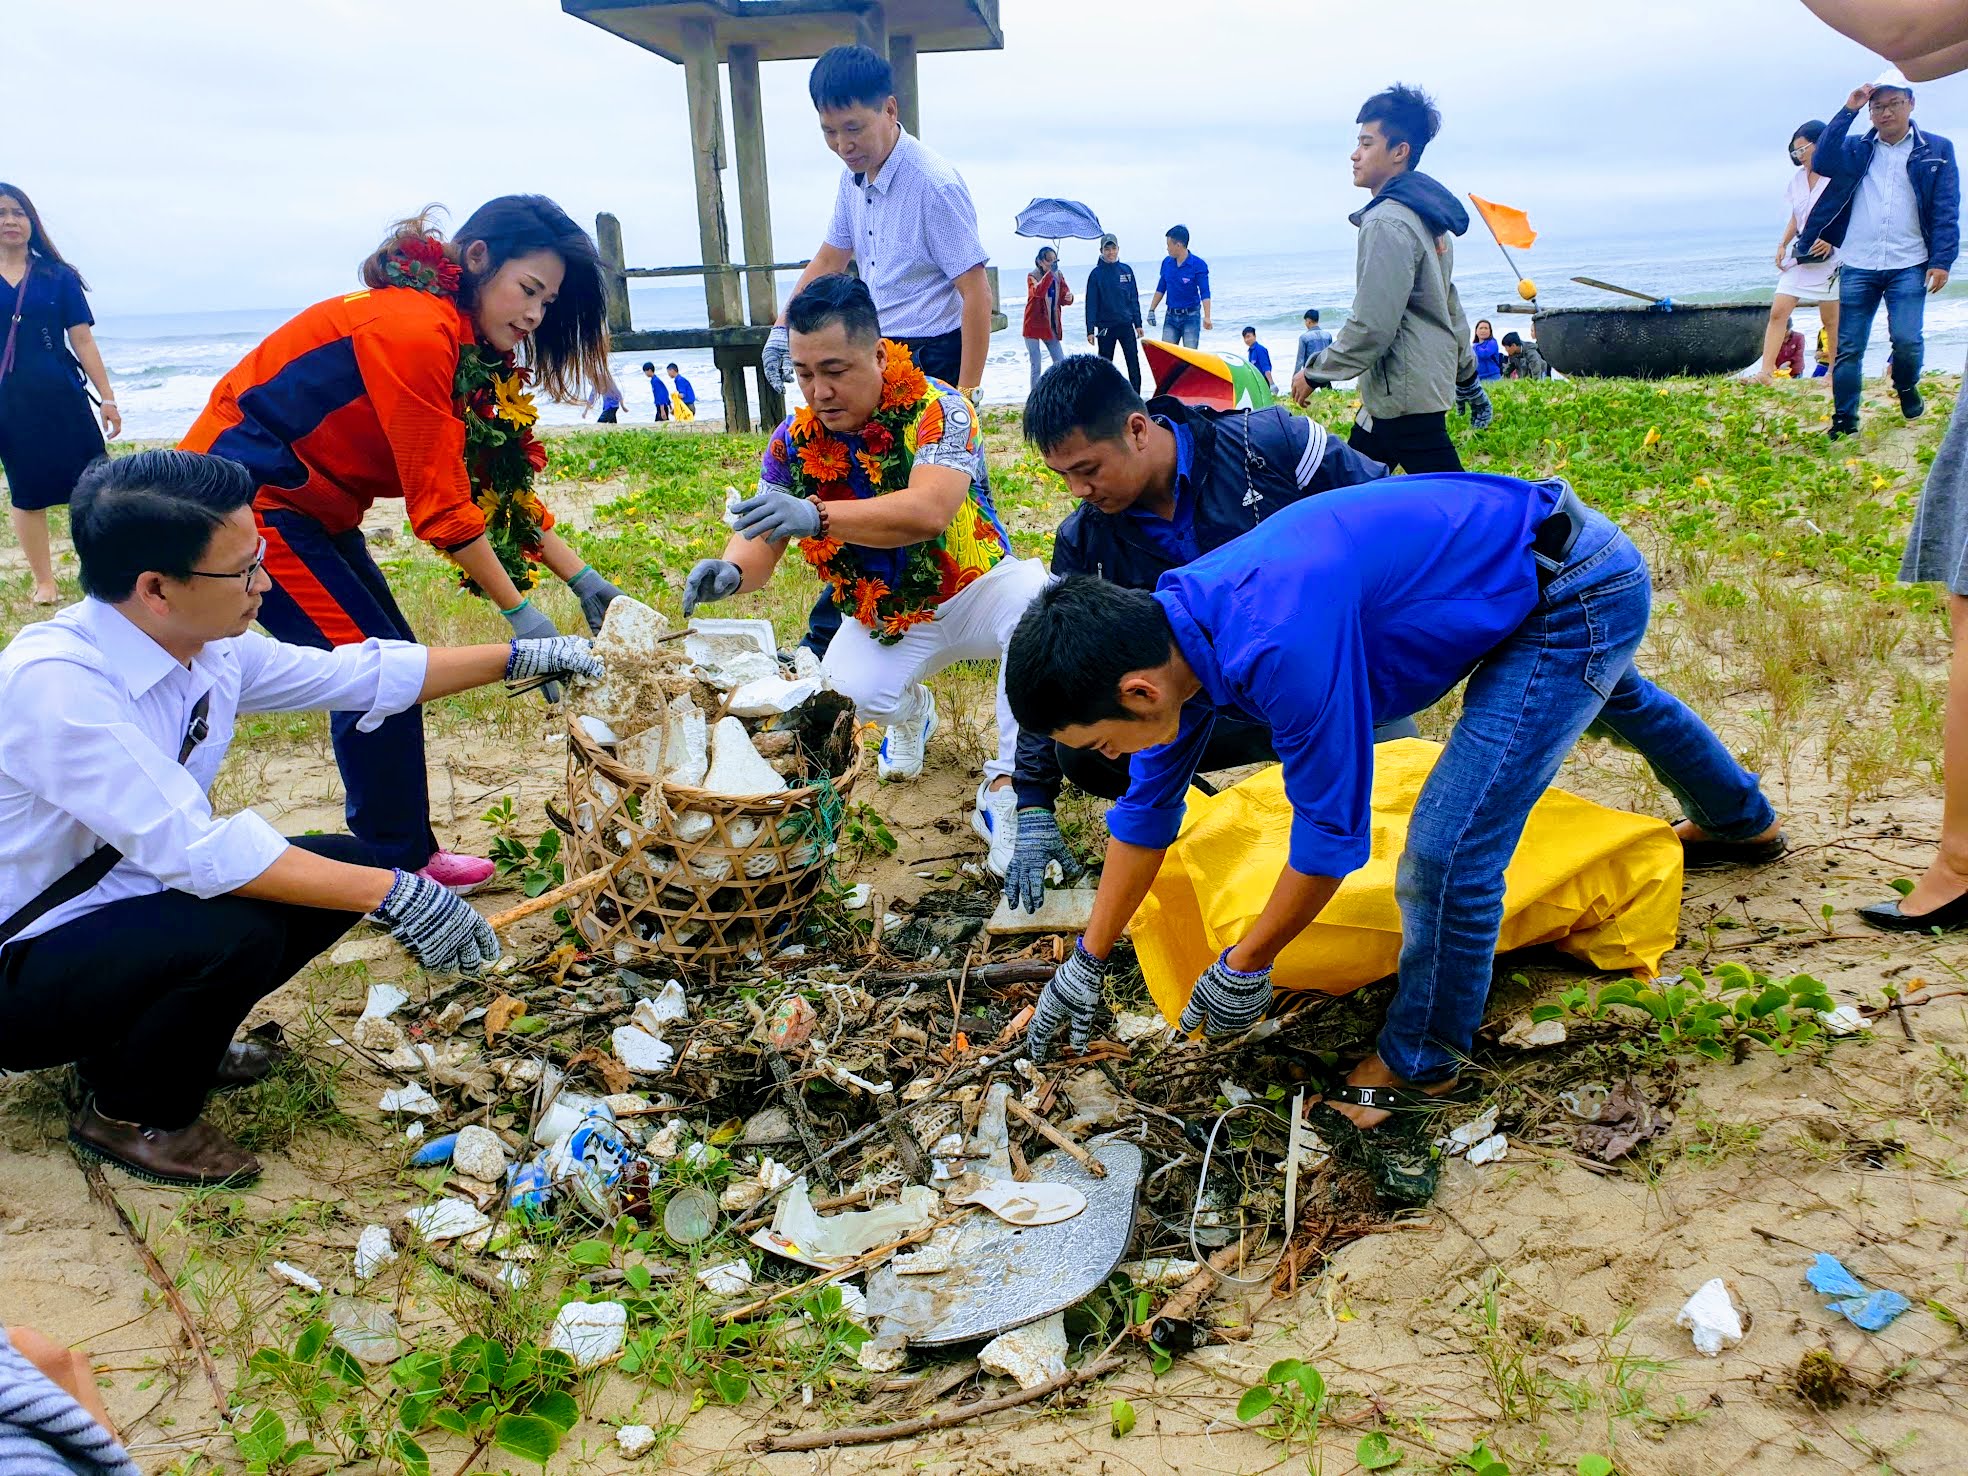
point(501, 452)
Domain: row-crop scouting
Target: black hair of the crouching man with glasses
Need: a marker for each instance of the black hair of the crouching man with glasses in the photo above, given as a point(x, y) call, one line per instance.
point(151, 513)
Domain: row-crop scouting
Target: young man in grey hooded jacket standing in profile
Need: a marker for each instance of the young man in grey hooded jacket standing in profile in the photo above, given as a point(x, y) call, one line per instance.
point(1406, 339)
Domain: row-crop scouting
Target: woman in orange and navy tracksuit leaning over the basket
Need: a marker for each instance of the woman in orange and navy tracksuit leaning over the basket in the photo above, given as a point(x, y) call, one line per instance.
point(414, 389)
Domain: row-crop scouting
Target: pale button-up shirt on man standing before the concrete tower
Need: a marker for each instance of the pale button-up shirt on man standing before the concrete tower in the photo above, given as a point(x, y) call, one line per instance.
point(912, 231)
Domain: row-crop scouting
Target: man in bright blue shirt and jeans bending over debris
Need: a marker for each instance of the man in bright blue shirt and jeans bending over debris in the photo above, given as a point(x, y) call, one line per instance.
point(1329, 617)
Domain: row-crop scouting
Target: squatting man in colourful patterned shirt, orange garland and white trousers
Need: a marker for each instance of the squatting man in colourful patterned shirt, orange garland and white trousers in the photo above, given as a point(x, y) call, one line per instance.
point(883, 481)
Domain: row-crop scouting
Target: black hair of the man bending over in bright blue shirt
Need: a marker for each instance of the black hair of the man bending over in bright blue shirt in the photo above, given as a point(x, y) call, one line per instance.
point(1076, 645)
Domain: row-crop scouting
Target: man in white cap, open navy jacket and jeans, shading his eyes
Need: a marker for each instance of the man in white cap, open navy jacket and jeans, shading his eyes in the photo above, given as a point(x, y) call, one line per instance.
point(1896, 225)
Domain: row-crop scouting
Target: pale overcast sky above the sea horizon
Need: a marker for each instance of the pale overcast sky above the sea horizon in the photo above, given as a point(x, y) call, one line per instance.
point(221, 154)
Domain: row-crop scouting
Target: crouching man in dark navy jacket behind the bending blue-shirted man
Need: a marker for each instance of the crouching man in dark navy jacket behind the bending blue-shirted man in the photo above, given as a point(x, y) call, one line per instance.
point(1160, 485)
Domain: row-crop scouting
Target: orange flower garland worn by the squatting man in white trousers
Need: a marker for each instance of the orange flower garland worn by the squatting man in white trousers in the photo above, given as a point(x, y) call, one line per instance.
point(822, 465)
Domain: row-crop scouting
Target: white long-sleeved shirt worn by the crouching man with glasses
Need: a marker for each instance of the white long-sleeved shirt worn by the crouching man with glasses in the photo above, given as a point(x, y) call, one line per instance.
point(92, 719)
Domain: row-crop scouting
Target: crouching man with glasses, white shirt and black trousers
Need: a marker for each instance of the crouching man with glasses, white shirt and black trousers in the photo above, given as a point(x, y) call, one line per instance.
point(137, 928)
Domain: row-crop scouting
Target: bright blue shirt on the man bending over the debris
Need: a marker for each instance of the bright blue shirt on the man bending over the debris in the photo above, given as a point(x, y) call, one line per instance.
point(1333, 615)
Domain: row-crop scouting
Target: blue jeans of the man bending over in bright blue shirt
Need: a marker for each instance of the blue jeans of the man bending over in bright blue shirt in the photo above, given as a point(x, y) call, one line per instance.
point(1568, 668)
